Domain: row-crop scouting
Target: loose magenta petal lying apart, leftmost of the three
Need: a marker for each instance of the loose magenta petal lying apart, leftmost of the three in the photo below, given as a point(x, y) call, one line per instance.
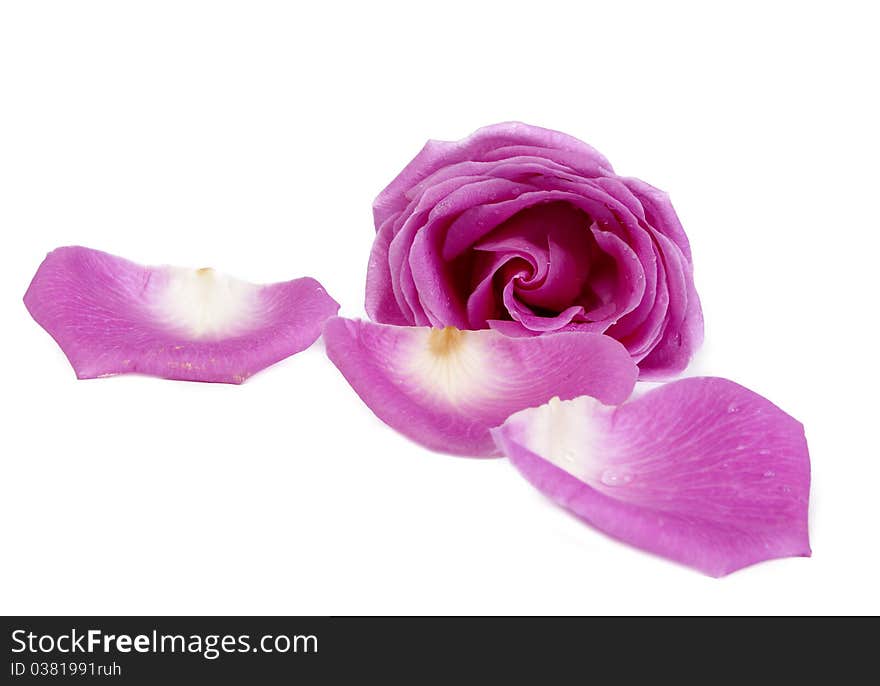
point(111, 316)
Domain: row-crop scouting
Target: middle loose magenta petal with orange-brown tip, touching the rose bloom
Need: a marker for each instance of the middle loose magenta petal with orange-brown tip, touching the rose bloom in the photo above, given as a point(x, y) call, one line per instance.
point(445, 388)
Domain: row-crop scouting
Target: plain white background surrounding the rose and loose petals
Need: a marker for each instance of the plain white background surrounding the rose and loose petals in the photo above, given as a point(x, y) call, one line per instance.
point(252, 137)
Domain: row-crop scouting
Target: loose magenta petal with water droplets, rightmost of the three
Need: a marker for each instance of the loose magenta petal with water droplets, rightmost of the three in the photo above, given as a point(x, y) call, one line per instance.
point(702, 471)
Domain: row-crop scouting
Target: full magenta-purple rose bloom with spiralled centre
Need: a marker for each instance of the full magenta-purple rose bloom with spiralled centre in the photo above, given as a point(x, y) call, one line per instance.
point(530, 232)
